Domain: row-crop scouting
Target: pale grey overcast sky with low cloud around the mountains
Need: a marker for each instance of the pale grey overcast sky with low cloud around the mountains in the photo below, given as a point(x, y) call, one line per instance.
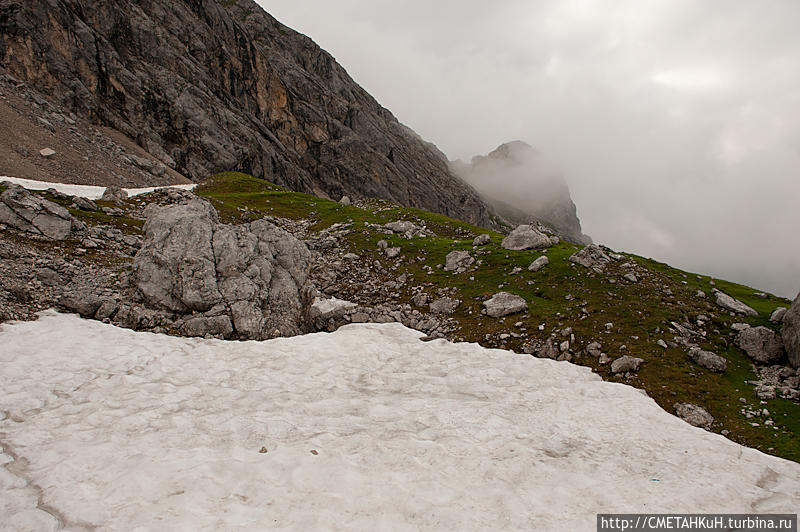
point(675, 122)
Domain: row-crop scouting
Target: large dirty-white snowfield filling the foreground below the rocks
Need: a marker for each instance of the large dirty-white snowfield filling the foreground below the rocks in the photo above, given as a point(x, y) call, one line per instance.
point(367, 428)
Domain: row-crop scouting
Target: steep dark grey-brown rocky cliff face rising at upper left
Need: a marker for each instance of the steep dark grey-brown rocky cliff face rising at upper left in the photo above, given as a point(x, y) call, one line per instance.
point(212, 85)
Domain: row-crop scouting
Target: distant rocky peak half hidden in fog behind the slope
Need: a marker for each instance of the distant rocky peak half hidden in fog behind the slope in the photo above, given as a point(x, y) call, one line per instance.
point(519, 186)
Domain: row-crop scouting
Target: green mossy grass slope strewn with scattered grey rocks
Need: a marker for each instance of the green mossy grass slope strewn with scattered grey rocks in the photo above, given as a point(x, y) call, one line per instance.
point(636, 310)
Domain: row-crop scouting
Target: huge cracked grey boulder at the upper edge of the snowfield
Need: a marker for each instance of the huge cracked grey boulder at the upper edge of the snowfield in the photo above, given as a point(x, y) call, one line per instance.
point(190, 263)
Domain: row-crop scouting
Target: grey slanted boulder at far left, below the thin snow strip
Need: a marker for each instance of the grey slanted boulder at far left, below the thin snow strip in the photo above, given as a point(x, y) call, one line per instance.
point(30, 213)
